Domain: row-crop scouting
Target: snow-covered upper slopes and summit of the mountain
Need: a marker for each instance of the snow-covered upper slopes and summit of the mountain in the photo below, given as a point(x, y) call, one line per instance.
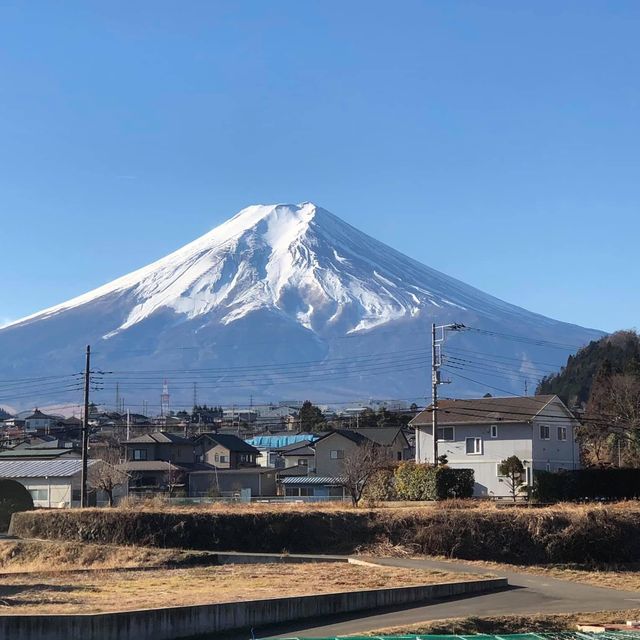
point(298, 260)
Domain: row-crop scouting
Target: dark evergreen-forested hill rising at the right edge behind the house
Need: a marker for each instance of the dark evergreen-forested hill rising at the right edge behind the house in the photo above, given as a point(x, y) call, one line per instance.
point(620, 351)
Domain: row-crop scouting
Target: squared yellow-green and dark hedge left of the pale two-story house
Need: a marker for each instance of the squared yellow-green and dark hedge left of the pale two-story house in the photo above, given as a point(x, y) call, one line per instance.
point(425, 482)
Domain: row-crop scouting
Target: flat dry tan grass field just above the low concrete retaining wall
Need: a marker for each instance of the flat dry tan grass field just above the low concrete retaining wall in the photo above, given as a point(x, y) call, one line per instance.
point(69, 592)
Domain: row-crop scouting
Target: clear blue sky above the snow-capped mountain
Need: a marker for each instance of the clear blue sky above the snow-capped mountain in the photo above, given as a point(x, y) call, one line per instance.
point(496, 141)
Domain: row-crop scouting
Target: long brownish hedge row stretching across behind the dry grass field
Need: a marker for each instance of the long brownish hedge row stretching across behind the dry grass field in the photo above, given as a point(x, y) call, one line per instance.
point(525, 536)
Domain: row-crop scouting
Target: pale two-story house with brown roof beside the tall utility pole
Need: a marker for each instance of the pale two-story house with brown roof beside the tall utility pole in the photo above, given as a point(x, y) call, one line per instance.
point(480, 433)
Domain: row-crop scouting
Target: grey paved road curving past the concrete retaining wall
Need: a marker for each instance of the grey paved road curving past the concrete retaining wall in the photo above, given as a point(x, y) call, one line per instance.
point(527, 593)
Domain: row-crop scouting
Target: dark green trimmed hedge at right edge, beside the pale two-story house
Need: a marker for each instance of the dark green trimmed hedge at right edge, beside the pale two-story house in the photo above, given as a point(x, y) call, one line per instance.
point(587, 484)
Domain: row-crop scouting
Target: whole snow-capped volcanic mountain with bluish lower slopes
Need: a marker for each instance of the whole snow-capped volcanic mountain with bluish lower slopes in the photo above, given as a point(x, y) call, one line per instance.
point(281, 301)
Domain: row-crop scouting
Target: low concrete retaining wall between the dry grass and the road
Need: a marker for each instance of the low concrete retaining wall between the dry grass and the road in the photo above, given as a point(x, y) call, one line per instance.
point(181, 622)
